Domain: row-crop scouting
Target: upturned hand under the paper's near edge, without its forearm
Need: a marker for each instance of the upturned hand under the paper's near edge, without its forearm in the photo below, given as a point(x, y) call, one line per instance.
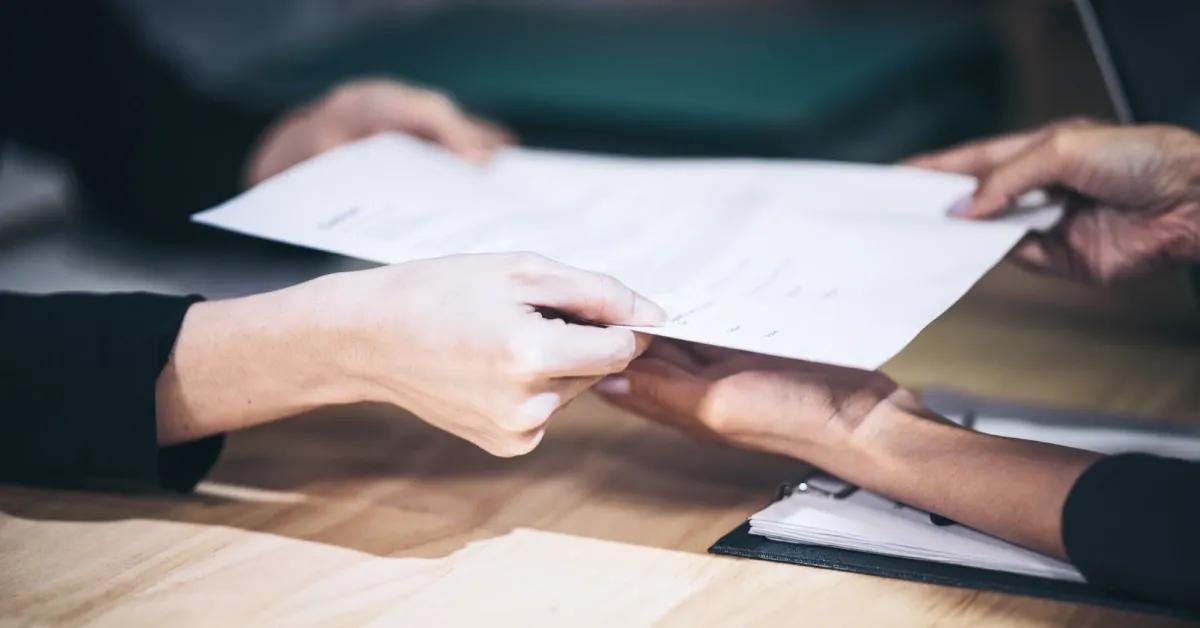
point(789, 408)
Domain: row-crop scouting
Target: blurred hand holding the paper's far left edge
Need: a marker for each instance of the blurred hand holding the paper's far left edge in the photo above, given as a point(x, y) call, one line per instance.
point(364, 109)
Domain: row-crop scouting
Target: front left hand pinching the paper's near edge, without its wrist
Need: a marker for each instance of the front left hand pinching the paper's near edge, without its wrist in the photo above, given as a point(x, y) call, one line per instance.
point(459, 342)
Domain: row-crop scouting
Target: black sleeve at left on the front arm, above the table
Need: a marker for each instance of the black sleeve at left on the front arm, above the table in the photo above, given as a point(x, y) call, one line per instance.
point(77, 392)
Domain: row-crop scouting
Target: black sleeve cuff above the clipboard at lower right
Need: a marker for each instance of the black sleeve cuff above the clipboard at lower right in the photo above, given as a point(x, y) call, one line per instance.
point(1132, 524)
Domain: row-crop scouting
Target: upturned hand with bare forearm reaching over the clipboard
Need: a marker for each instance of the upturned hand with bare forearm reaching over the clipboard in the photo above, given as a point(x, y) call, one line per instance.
point(863, 429)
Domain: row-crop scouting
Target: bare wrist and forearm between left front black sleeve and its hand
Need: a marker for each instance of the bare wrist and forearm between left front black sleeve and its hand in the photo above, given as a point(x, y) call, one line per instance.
point(245, 362)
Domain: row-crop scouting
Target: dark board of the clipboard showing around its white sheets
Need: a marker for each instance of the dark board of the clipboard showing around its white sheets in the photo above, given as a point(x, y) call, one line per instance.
point(742, 543)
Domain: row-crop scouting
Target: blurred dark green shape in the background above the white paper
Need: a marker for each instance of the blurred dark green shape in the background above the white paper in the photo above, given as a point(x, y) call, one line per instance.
point(771, 81)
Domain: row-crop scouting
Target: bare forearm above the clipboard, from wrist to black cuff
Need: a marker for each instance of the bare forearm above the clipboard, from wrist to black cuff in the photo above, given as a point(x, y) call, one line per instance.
point(1009, 488)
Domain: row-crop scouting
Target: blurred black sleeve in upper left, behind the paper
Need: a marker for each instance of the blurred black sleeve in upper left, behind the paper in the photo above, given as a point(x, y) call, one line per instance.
point(145, 148)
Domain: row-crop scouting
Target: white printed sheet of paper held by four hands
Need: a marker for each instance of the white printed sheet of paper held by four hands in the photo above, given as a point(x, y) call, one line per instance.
point(826, 262)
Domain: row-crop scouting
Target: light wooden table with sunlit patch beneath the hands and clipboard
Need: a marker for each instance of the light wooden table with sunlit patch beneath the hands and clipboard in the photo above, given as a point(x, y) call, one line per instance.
point(365, 515)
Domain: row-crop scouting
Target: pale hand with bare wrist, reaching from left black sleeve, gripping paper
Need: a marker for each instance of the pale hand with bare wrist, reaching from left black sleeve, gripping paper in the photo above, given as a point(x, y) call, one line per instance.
point(459, 342)
